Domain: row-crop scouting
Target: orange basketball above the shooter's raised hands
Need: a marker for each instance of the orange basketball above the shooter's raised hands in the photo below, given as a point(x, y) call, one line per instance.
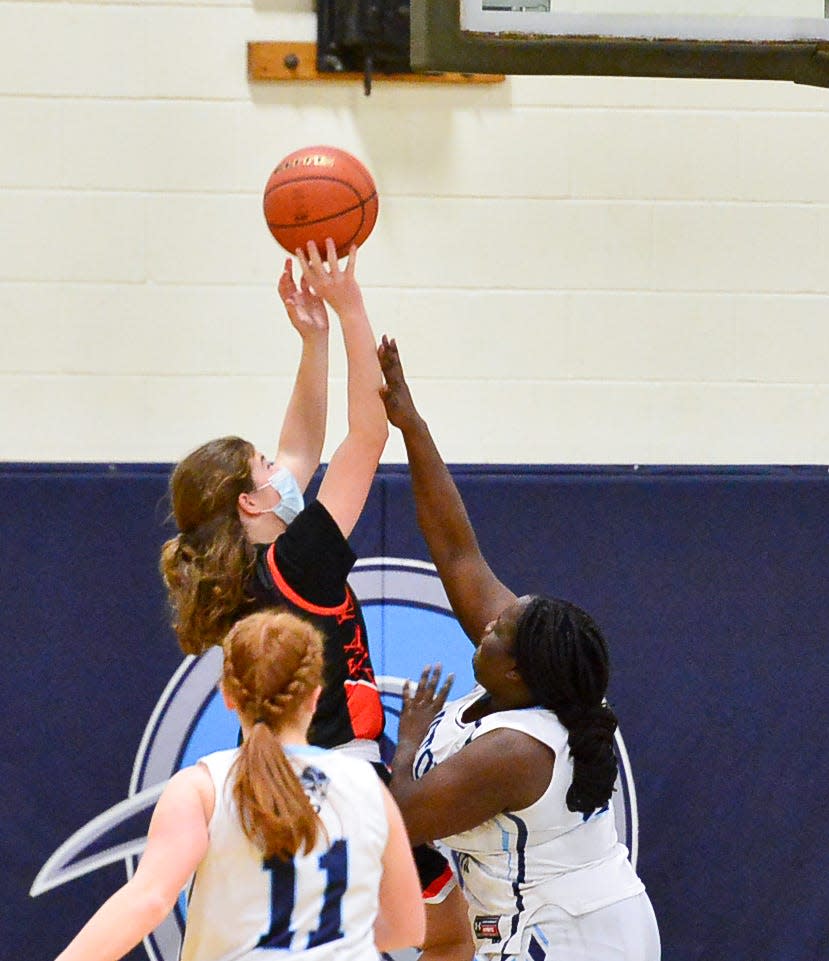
point(320, 192)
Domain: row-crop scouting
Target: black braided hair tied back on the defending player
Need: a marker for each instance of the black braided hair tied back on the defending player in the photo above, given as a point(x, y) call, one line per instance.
point(562, 657)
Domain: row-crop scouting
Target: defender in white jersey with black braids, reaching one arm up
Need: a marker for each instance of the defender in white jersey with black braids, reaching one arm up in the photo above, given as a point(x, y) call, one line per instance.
point(516, 778)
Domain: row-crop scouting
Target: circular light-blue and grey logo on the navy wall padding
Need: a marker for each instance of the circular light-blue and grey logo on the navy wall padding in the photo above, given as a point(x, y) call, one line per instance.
point(409, 623)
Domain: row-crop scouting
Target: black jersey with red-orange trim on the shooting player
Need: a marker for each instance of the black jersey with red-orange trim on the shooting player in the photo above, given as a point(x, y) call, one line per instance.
point(306, 570)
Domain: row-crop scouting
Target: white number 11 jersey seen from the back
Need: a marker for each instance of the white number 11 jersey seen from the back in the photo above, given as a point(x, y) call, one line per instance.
point(317, 906)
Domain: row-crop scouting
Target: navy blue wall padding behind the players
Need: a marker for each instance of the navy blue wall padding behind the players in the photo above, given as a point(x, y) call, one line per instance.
point(710, 583)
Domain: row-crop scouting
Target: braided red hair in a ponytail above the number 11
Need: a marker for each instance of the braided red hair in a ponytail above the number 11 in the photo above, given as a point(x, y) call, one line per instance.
point(272, 662)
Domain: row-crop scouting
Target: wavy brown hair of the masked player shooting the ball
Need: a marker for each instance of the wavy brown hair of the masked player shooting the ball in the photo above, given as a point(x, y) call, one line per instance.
point(207, 565)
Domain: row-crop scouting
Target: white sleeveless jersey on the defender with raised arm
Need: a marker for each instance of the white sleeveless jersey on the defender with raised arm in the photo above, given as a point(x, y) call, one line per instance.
point(514, 866)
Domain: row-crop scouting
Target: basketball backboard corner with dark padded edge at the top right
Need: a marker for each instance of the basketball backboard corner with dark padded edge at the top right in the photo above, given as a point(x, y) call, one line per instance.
point(748, 39)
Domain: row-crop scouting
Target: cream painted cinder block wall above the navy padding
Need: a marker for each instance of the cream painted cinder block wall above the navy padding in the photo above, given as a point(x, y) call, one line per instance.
point(578, 270)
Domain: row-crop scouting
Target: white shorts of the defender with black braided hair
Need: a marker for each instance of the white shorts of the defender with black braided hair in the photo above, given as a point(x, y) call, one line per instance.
point(624, 931)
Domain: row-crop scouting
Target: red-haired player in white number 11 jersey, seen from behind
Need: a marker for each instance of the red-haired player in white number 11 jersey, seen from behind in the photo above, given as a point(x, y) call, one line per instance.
point(287, 847)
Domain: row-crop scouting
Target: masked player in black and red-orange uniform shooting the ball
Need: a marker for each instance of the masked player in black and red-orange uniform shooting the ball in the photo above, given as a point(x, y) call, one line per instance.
point(247, 542)
